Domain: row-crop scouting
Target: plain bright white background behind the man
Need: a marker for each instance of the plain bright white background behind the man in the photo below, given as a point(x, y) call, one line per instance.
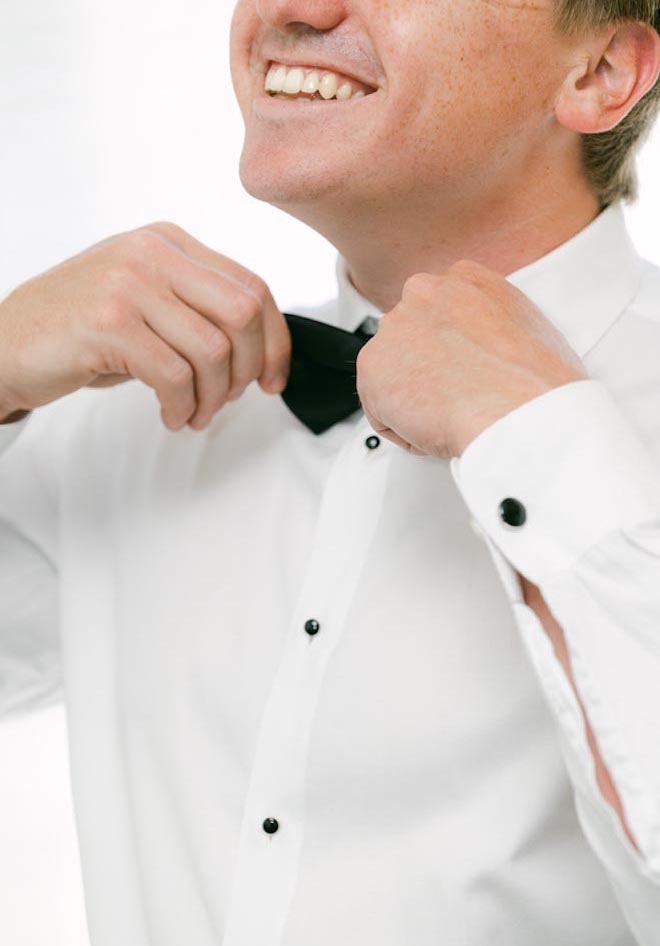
point(112, 115)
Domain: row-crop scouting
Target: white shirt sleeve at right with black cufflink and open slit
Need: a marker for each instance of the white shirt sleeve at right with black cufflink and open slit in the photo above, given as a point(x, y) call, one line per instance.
point(582, 522)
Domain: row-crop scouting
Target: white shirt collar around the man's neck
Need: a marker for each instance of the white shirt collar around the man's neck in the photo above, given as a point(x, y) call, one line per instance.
point(581, 286)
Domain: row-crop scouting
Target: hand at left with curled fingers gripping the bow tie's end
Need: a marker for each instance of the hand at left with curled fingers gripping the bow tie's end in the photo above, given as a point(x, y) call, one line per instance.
point(153, 304)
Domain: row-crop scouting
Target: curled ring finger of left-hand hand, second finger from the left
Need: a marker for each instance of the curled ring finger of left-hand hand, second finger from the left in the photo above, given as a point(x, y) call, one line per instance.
point(204, 347)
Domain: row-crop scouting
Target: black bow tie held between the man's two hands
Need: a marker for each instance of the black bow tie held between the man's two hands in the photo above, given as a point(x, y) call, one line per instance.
point(322, 387)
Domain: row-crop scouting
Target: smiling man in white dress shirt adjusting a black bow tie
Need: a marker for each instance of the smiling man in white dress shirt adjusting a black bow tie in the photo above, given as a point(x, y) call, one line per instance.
point(395, 682)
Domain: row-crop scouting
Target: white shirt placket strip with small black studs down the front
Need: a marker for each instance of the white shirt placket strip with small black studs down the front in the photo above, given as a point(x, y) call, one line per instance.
point(272, 830)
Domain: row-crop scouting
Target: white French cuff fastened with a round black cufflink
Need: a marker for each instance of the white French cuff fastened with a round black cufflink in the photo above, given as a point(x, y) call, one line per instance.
point(554, 476)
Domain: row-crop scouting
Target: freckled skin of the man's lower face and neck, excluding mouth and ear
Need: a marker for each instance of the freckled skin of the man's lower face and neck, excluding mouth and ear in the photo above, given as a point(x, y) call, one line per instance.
point(458, 156)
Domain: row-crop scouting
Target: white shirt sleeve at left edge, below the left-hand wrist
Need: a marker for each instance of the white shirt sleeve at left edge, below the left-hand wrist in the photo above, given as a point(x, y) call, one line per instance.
point(30, 675)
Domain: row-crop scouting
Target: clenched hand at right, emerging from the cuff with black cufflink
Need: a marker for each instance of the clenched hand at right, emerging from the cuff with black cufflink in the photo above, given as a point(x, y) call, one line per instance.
point(458, 352)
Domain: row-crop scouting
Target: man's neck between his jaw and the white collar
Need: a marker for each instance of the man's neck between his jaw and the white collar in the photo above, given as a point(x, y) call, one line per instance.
point(505, 232)
